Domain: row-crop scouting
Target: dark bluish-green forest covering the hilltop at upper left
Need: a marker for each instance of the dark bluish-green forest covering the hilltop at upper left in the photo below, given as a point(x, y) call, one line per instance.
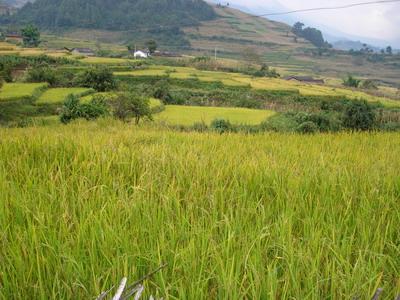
point(115, 15)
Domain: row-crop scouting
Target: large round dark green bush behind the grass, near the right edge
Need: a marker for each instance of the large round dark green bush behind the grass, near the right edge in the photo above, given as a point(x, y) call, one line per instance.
point(359, 115)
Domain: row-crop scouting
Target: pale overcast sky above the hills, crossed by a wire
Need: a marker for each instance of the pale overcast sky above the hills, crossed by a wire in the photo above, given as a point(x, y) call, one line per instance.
point(379, 21)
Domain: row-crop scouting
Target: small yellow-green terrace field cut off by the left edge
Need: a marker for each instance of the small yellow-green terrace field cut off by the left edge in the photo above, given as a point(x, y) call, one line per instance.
point(16, 91)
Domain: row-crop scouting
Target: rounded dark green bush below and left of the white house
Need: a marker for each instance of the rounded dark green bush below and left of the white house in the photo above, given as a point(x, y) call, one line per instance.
point(101, 79)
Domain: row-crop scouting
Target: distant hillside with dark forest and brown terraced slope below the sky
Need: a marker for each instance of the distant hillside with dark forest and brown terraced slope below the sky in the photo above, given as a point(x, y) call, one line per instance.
point(199, 29)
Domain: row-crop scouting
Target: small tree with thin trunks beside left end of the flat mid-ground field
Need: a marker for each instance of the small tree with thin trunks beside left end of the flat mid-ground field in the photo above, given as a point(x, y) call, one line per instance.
point(130, 105)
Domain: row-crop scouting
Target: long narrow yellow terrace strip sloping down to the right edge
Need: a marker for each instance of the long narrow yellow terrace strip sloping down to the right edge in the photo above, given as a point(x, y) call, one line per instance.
point(235, 79)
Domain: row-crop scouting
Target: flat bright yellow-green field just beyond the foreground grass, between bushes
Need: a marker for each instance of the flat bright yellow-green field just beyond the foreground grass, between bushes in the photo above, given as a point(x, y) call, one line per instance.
point(188, 115)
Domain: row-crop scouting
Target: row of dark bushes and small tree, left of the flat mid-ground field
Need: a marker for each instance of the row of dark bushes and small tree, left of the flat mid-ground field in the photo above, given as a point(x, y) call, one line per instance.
point(123, 106)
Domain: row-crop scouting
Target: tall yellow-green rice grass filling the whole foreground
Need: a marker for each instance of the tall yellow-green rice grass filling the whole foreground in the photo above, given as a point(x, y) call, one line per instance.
point(234, 216)
